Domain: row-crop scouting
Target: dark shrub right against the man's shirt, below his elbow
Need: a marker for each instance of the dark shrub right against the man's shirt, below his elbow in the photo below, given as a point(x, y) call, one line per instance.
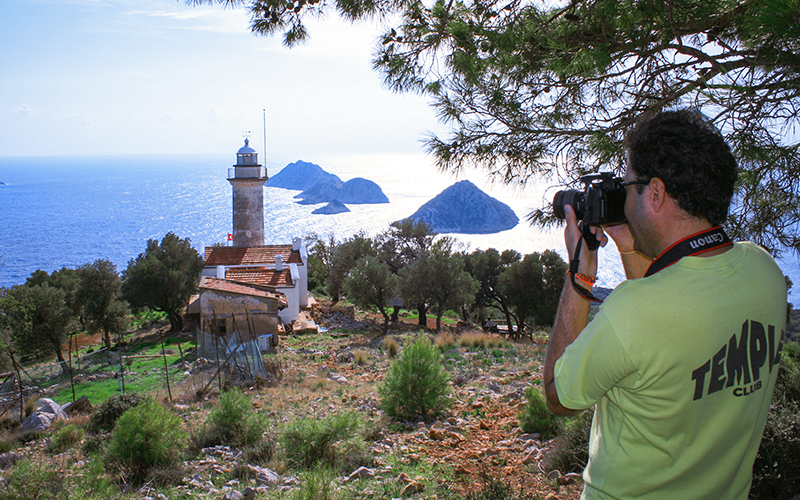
point(570, 452)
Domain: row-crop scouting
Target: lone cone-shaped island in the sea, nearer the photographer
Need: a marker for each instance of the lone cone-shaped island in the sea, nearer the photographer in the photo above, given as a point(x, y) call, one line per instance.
point(463, 208)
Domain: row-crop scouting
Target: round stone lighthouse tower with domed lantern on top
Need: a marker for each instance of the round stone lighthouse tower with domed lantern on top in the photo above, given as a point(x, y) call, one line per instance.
point(247, 178)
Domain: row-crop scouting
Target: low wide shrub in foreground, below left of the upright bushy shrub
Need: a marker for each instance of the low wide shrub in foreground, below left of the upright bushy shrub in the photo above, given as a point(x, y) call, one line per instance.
point(332, 442)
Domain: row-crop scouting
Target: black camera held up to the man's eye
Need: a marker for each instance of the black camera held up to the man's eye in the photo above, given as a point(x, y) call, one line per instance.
point(601, 203)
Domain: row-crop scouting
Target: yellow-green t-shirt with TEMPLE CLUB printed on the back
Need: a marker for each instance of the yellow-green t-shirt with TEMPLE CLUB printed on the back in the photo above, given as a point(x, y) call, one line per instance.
point(681, 366)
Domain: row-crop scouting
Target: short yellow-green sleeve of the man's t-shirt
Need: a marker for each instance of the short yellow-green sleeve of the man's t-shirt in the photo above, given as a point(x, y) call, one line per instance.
point(594, 363)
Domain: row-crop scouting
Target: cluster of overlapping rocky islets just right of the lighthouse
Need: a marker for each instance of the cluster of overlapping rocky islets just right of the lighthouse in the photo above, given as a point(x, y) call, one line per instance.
point(318, 186)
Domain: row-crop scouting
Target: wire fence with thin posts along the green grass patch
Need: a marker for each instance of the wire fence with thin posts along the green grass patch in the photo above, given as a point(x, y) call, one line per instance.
point(160, 368)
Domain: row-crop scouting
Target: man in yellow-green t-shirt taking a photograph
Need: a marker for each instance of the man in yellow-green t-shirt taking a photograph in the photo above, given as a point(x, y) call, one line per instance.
point(681, 359)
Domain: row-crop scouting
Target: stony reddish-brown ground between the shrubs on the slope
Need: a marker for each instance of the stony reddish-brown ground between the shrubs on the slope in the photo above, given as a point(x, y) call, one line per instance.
point(477, 441)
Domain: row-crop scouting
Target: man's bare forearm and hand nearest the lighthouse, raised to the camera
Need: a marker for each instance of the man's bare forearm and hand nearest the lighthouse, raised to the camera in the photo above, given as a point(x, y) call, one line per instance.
point(573, 311)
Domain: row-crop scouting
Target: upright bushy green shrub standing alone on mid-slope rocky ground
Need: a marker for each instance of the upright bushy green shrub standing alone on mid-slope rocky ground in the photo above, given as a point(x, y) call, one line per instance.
point(416, 385)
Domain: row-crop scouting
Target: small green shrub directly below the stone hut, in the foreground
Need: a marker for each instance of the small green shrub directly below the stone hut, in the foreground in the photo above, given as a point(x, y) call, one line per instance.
point(232, 423)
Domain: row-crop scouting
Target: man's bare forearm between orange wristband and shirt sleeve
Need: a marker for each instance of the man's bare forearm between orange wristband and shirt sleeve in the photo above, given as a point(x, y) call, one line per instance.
point(573, 311)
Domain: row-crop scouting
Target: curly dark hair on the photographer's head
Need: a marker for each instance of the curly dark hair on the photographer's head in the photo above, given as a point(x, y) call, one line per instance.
point(683, 149)
